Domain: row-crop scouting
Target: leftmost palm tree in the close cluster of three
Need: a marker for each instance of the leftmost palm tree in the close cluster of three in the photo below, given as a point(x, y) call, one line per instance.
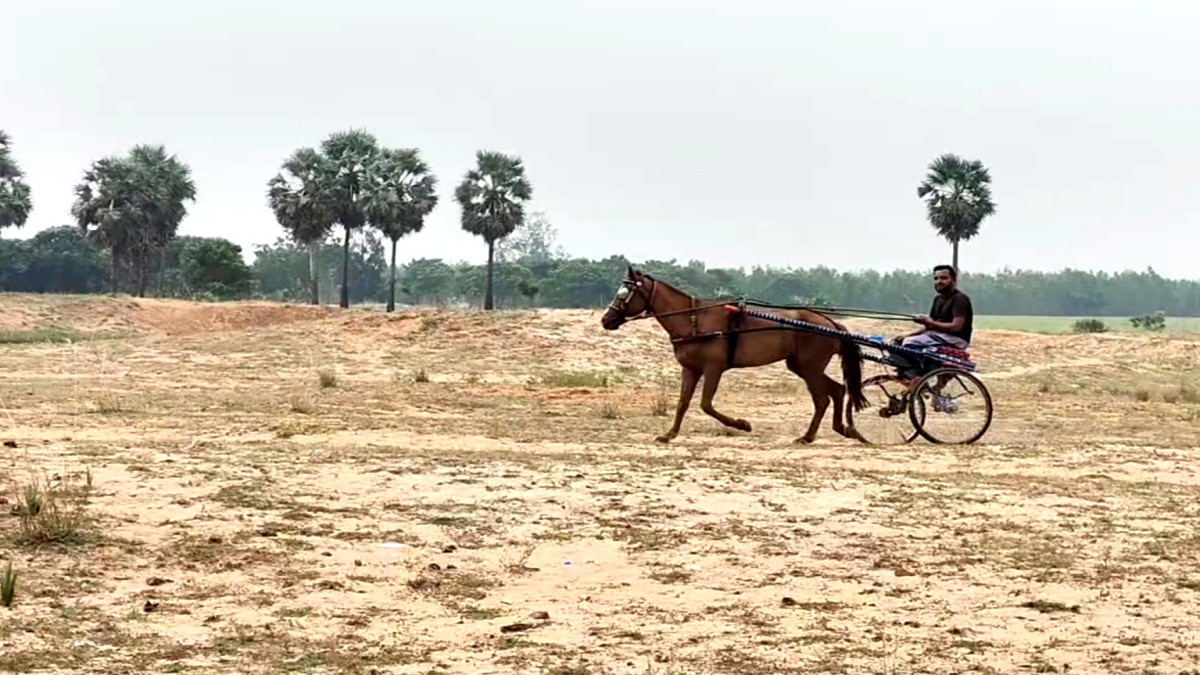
point(298, 199)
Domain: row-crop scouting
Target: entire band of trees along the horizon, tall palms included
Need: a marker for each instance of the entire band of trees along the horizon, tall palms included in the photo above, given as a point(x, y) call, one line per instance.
point(346, 202)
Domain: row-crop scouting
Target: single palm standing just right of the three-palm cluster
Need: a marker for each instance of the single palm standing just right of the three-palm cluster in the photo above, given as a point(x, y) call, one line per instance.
point(493, 198)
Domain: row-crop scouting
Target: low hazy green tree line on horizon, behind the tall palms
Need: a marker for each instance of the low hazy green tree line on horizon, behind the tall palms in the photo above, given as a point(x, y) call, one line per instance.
point(532, 272)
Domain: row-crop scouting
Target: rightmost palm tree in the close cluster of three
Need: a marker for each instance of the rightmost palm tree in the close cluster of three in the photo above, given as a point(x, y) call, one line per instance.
point(403, 193)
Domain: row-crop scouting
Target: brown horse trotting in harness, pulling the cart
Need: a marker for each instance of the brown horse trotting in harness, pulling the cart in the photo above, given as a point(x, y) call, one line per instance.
point(709, 341)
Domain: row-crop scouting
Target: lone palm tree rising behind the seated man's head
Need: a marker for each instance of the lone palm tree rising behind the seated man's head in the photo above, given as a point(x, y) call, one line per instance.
point(958, 198)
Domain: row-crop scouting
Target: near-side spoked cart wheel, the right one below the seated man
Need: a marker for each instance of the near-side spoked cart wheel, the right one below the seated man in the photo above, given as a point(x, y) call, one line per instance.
point(951, 407)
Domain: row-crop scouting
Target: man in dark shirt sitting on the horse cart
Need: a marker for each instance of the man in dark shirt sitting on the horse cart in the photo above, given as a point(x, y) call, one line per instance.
point(950, 324)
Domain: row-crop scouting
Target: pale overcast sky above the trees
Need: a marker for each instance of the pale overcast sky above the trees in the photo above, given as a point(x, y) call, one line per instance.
point(778, 133)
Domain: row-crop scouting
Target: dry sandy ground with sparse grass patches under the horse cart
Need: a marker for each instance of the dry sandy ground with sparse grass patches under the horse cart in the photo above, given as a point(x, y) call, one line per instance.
point(256, 488)
